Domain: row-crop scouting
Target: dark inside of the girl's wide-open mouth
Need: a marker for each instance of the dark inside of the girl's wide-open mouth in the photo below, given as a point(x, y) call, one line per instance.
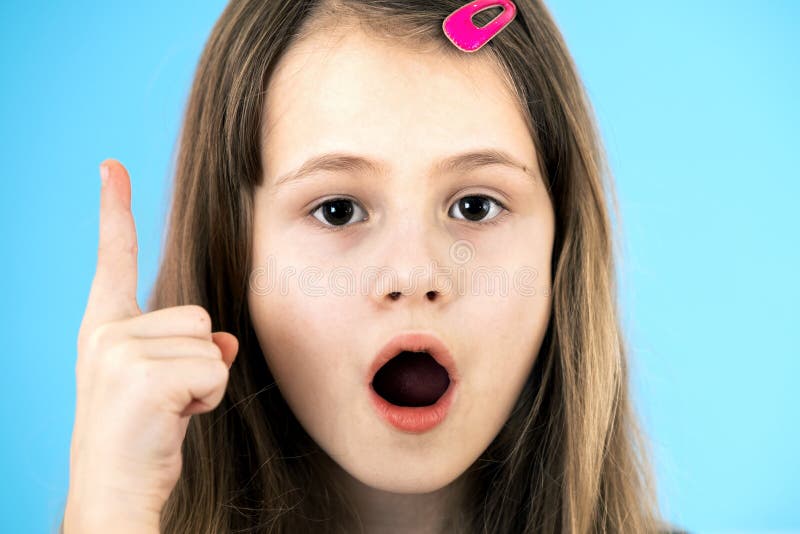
point(411, 379)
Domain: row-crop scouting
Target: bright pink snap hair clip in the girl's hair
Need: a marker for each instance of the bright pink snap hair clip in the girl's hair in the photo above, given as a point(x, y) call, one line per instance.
point(462, 31)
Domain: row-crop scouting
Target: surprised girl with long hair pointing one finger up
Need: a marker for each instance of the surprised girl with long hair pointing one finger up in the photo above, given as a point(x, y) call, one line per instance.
point(324, 142)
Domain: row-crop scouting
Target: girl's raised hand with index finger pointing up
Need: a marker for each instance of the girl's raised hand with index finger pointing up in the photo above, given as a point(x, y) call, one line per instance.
point(140, 377)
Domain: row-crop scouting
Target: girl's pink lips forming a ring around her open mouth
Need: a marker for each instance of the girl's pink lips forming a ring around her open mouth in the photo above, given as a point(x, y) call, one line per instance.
point(415, 419)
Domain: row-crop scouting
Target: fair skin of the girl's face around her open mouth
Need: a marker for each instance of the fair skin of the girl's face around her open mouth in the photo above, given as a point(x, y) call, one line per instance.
point(321, 323)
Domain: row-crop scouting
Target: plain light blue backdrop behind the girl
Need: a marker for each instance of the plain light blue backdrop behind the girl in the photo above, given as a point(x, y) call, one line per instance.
point(697, 103)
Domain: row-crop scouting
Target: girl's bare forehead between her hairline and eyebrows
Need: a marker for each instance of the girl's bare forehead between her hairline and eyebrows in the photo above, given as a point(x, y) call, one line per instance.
point(351, 93)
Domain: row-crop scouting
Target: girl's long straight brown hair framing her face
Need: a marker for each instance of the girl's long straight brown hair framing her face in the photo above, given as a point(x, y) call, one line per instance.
point(571, 458)
